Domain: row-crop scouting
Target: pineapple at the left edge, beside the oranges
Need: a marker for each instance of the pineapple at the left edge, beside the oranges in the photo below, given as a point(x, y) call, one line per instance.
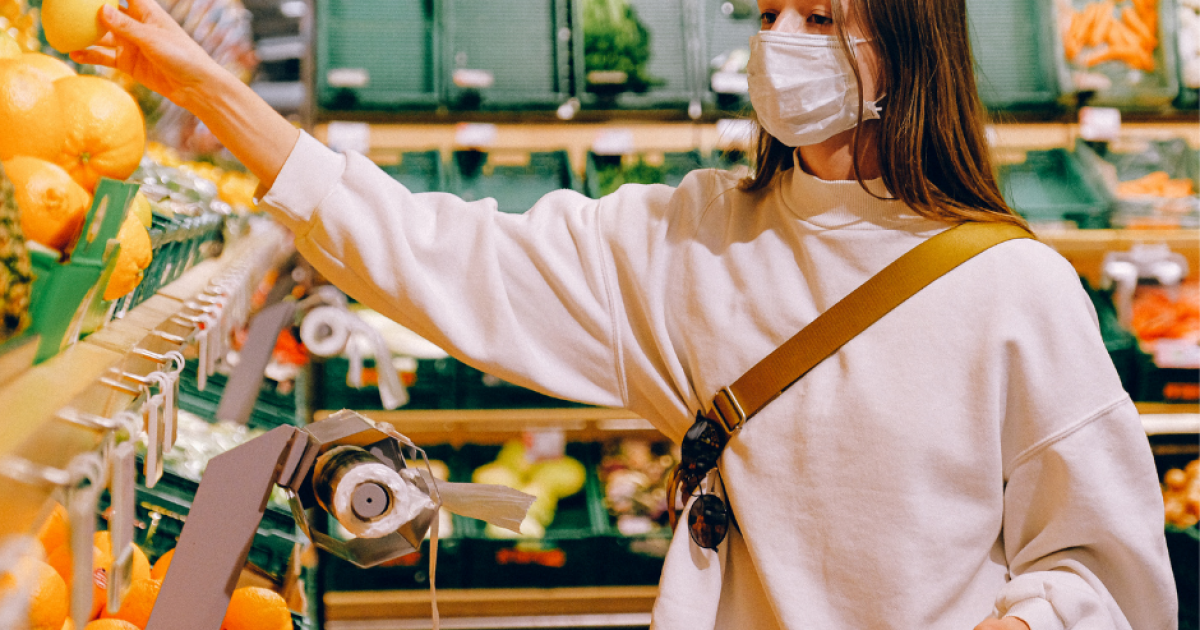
point(16, 274)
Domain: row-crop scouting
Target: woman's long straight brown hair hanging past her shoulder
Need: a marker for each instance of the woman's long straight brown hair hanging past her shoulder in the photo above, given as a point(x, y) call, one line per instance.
point(933, 148)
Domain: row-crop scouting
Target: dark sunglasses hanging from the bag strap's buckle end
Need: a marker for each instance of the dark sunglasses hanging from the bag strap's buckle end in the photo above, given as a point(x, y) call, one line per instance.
point(709, 521)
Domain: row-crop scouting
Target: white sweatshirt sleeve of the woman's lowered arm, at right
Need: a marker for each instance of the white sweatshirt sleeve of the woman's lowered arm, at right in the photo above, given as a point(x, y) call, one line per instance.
point(1083, 529)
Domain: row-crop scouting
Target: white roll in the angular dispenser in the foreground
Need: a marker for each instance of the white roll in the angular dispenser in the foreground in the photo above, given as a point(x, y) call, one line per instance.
point(406, 502)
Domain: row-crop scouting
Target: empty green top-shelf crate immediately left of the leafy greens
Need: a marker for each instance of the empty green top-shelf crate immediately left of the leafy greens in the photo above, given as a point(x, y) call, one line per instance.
point(524, 45)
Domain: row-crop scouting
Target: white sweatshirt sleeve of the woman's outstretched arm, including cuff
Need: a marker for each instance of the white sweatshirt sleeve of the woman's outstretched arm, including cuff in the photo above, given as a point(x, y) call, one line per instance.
point(524, 297)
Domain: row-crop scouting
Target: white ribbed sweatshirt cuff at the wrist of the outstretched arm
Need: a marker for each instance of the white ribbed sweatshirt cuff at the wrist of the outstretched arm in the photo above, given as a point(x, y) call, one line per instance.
point(308, 177)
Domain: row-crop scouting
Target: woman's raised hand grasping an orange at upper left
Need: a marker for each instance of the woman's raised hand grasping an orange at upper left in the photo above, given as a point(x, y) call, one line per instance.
point(147, 44)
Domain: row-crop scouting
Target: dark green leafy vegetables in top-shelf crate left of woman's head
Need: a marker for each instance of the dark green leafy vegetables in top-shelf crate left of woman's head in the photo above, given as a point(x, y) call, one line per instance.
point(616, 41)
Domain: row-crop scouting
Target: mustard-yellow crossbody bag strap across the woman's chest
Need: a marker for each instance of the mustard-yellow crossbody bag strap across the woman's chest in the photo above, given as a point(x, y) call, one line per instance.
point(844, 321)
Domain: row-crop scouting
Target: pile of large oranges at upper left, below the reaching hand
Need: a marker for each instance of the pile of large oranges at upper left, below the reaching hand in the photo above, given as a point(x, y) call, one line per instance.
point(59, 134)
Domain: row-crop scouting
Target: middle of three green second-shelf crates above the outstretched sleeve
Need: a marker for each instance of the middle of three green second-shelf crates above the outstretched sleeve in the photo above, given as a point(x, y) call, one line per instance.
point(515, 188)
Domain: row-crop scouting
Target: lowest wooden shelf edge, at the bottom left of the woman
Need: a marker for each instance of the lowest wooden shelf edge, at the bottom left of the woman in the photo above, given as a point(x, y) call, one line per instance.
point(519, 608)
